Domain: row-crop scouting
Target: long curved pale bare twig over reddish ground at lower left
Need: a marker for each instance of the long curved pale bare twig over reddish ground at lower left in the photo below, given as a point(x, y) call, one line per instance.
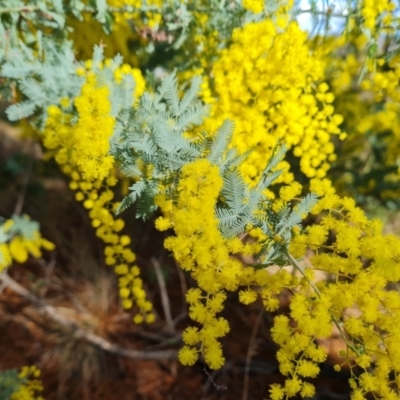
point(79, 333)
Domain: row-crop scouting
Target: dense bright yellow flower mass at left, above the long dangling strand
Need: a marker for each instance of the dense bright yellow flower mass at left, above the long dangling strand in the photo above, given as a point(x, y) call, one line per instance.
point(86, 143)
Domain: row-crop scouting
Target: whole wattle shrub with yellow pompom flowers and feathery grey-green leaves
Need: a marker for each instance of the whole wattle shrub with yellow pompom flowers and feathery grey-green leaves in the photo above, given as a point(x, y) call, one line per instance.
point(229, 164)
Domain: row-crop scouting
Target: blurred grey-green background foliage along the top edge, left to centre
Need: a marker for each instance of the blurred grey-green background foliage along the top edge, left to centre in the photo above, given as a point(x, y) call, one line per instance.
point(23, 21)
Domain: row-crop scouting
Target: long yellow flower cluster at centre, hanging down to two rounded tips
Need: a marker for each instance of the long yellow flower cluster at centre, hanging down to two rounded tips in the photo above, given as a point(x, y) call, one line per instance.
point(200, 249)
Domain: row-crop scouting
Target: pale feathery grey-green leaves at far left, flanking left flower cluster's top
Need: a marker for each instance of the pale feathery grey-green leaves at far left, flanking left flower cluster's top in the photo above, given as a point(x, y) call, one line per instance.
point(51, 76)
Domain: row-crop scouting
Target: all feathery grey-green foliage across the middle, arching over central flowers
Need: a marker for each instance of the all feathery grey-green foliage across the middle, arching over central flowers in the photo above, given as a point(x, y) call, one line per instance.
point(154, 135)
